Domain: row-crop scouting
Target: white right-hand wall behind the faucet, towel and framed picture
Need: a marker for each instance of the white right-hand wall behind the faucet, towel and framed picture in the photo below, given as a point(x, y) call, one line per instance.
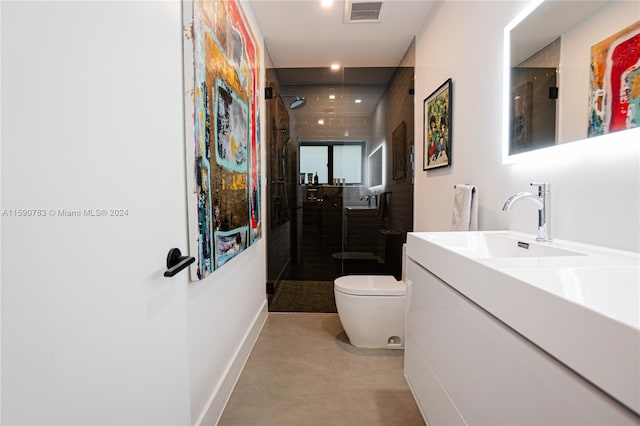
point(595, 184)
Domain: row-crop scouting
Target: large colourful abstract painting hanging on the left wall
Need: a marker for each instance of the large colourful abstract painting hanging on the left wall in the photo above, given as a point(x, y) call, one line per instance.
point(221, 73)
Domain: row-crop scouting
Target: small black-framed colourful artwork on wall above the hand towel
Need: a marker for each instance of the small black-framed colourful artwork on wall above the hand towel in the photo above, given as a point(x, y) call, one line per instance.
point(437, 128)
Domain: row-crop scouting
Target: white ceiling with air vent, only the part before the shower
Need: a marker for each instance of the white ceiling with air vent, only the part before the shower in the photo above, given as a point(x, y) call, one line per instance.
point(301, 33)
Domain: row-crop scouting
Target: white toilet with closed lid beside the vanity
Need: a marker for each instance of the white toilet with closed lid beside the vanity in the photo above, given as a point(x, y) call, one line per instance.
point(372, 309)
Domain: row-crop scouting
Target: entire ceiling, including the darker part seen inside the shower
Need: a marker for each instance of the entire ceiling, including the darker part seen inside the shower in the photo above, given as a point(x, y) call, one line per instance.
point(303, 39)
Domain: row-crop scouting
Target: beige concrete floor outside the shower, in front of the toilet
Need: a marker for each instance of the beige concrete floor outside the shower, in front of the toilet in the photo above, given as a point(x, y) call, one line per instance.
point(303, 371)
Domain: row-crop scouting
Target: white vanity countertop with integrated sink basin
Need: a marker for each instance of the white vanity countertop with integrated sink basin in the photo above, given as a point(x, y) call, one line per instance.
point(579, 303)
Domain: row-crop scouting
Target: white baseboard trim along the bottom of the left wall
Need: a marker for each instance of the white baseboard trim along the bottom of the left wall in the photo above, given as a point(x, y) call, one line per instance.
point(221, 394)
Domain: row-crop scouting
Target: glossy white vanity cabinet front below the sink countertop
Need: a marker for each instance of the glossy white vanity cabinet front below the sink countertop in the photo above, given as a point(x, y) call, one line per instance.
point(464, 366)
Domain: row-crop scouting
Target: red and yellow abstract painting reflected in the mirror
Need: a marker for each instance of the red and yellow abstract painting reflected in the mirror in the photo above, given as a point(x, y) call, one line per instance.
point(614, 96)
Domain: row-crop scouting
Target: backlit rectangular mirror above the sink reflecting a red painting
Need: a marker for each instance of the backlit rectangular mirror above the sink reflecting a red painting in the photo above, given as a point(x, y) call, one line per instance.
point(571, 70)
